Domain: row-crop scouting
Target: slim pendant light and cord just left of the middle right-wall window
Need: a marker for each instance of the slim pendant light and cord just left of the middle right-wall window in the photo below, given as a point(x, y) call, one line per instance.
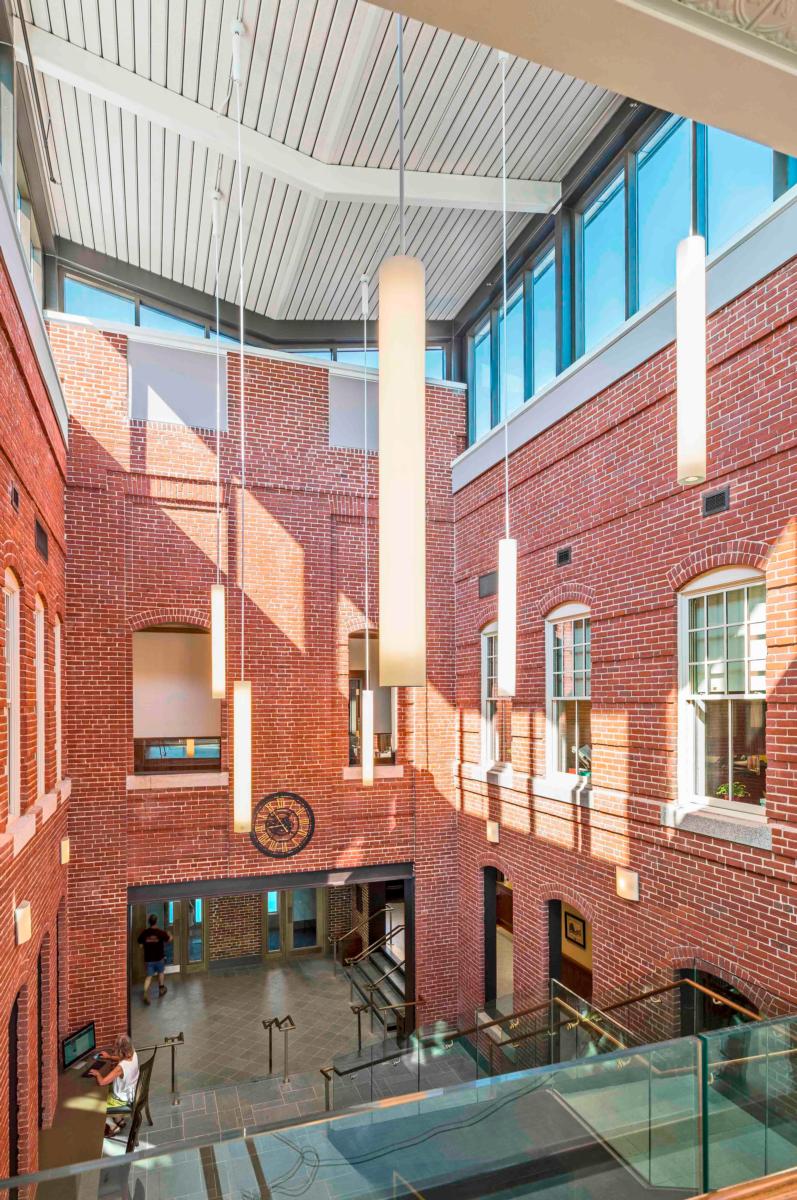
point(507, 652)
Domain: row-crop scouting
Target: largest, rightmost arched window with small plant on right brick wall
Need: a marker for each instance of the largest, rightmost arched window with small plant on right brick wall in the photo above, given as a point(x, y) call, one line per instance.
point(723, 707)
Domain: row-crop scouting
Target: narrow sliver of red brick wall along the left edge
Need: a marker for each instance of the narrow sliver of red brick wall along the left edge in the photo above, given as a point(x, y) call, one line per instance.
point(33, 457)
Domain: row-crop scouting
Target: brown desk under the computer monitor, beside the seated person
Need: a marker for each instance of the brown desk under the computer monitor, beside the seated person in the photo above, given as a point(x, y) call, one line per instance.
point(77, 1131)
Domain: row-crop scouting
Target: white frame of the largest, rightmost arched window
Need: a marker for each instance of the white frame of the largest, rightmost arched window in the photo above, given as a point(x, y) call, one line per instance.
point(690, 745)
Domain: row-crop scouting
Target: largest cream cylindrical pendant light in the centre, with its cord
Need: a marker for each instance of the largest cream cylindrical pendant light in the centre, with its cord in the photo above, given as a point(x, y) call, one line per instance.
point(403, 453)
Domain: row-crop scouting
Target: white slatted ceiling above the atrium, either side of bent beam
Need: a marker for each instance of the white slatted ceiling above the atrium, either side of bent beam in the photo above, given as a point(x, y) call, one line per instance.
point(321, 77)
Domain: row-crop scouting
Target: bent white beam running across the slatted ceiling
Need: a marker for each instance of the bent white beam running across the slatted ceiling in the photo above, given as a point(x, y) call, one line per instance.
point(327, 182)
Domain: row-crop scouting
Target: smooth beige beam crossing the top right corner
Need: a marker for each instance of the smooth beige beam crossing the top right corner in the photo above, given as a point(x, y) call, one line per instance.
point(662, 52)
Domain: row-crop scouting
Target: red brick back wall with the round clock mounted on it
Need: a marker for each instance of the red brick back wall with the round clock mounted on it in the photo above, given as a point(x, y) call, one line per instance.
point(141, 523)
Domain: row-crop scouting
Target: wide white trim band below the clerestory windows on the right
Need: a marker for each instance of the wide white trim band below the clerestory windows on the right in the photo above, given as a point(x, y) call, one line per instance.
point(758, 251)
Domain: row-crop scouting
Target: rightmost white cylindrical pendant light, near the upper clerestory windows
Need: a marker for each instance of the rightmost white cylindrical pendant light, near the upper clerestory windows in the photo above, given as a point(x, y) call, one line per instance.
point(691, 359)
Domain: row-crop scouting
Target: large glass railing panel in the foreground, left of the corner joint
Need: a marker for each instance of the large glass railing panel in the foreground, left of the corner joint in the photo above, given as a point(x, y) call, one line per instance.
point(555, 1130)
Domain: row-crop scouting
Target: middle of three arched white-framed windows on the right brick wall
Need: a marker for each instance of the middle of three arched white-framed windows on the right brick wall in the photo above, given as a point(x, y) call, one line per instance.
point(568, 692)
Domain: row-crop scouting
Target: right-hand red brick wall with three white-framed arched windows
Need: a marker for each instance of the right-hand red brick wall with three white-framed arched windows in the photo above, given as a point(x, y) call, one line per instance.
point(603, 481)
